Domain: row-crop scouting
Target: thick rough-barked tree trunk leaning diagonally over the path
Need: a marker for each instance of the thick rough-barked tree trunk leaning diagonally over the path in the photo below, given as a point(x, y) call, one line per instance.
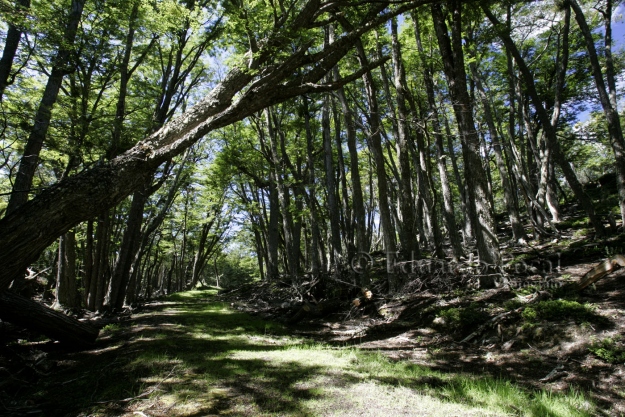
point(25, 233)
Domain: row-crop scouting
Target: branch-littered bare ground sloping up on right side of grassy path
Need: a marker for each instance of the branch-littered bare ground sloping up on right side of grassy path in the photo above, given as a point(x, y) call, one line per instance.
point(531, 331)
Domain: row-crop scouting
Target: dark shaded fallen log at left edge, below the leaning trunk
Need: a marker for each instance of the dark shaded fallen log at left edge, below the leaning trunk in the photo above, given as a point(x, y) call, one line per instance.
point(35, 316)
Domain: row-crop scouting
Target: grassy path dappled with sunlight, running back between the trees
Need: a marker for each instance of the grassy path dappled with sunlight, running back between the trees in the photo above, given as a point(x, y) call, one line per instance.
point(190, 356)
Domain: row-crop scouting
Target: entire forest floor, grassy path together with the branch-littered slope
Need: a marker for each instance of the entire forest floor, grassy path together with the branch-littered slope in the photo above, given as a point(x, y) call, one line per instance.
point(526, 348)
